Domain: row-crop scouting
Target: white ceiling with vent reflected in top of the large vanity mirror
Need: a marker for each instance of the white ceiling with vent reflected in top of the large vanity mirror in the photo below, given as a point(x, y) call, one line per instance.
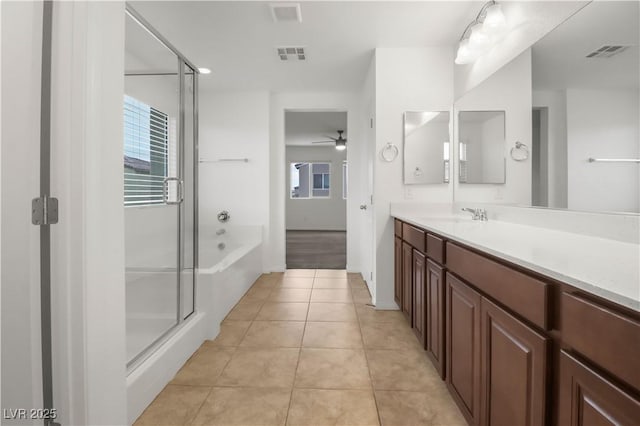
point(559, 60)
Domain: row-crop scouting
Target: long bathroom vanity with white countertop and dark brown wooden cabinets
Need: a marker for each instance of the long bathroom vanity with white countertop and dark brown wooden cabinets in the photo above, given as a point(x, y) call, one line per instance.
point(527, 325)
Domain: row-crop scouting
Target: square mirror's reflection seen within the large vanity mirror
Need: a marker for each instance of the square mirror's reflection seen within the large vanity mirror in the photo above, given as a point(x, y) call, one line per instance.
point(481, 146)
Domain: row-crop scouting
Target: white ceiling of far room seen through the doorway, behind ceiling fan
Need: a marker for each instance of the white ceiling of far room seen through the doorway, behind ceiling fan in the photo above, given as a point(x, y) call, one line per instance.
point(304, 127)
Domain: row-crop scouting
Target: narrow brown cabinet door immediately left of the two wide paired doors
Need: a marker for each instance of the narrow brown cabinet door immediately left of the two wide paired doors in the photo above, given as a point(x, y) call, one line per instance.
point(434, 290)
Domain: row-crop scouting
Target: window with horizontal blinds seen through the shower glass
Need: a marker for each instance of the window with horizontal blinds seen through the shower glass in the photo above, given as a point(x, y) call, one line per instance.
point(146, 159)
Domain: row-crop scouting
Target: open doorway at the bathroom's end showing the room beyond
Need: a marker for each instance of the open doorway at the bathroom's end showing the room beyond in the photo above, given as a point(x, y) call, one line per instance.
point(316, 192)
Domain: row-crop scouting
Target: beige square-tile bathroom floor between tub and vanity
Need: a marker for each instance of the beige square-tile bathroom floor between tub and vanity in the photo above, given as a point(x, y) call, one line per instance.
point(304, 348)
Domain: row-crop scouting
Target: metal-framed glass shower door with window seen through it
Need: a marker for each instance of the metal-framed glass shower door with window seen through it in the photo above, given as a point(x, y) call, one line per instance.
point(153, 191)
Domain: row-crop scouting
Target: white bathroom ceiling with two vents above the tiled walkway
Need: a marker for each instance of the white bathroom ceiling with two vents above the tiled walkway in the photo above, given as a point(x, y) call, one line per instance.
point(237, 39)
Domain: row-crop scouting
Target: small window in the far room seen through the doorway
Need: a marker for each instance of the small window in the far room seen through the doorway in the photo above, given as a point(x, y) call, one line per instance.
point(310, 180)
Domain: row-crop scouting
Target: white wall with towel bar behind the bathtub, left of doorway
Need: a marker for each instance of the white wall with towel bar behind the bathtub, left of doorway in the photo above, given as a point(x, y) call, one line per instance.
point(234, 125)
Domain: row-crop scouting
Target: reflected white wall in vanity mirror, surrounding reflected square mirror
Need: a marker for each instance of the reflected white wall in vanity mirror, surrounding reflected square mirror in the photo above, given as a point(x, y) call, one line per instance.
point(507, 90)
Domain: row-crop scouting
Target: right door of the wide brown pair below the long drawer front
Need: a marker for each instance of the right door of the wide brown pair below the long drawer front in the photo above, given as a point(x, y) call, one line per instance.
point(514, 370)
